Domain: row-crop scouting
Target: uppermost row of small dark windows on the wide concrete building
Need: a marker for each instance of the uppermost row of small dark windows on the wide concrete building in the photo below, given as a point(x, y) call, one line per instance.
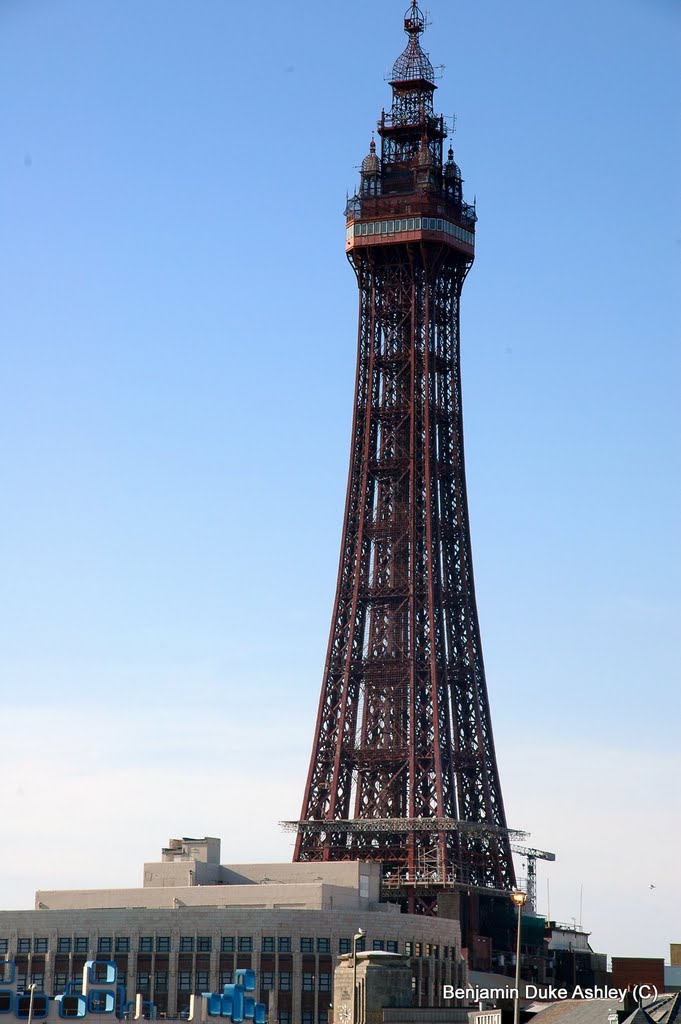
point(229, 945)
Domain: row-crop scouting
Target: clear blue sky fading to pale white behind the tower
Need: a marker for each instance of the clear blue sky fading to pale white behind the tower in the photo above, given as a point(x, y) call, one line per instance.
point(178, 346)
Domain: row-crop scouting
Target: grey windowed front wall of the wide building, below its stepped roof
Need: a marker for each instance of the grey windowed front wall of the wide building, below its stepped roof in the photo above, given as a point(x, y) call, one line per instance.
point(171, 953)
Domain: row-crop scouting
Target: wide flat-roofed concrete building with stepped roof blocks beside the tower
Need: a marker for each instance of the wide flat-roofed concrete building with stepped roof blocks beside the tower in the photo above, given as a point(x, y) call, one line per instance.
point(196, 922)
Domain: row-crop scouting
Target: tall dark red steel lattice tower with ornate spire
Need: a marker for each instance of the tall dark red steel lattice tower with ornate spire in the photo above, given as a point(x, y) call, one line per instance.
point(404, 767)
